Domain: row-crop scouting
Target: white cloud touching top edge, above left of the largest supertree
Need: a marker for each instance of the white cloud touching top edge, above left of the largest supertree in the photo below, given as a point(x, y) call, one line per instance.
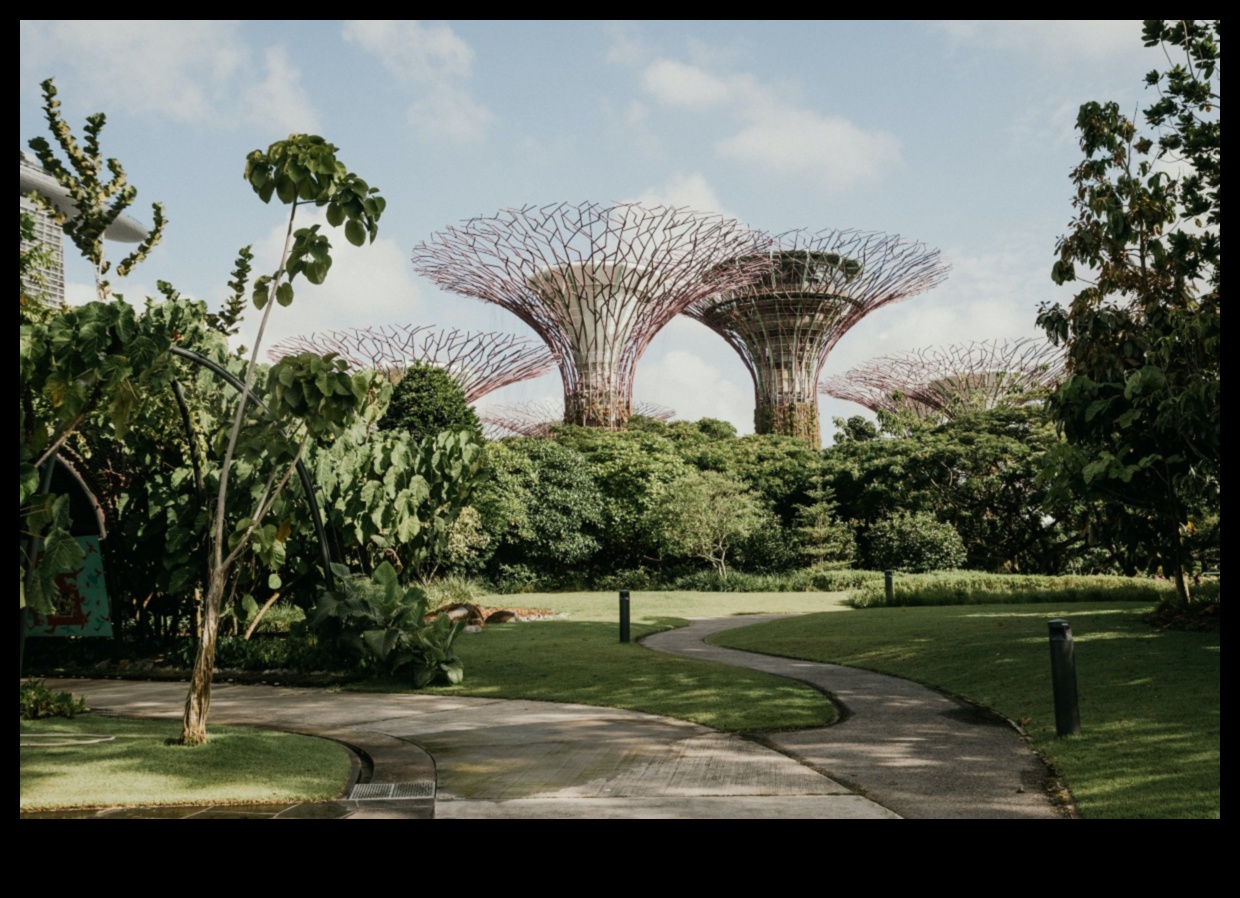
point(433, 64)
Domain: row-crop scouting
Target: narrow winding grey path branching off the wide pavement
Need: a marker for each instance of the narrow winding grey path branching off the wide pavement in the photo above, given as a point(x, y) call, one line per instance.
point(907, 747)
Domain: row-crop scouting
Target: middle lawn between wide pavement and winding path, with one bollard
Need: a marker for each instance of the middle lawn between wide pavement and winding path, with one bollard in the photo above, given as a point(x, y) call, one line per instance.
point(580, 659)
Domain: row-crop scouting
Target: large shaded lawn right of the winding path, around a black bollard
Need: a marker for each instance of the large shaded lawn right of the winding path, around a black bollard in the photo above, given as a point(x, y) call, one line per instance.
point(1150, 703)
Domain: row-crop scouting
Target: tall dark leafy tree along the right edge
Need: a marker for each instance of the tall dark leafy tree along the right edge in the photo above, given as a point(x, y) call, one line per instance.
point(1140, 410)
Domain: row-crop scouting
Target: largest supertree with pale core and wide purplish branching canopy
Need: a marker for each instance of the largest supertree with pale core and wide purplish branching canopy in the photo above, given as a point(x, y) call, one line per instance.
point(597, 283)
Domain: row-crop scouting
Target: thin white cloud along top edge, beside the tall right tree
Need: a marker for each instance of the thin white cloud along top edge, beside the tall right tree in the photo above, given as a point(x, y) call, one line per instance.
point(1057, 39)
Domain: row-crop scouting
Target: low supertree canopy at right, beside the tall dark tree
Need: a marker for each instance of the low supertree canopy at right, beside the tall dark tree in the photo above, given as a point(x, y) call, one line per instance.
point(953, 380)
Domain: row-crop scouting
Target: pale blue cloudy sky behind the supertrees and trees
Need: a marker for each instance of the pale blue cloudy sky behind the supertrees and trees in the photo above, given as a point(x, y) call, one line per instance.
point(957, 135)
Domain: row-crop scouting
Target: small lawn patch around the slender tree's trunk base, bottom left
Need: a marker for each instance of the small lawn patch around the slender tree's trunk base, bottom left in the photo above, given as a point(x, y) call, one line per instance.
point(139, 768)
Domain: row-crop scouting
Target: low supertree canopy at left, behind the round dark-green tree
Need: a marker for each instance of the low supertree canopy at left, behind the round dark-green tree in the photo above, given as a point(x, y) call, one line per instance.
point(480, 362)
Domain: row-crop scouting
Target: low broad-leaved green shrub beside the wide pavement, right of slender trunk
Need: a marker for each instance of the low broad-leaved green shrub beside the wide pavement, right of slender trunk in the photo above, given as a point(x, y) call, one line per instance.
point(385, 627)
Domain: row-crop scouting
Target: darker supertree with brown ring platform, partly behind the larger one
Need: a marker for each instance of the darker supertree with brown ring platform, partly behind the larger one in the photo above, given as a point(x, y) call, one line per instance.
point(814, 288)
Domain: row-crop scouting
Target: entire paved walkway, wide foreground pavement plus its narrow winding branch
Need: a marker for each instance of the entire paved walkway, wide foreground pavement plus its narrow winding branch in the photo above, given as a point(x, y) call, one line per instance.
point(902, 751)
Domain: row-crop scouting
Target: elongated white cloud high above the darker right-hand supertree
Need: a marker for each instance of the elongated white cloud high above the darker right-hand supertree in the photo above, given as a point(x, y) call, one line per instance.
point(774, 135)
